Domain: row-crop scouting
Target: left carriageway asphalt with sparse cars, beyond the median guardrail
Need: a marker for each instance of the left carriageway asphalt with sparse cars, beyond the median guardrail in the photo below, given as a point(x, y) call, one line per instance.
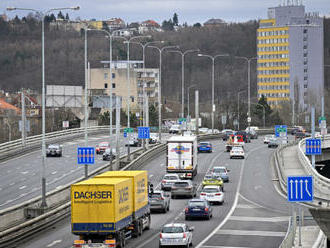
point(20, 177)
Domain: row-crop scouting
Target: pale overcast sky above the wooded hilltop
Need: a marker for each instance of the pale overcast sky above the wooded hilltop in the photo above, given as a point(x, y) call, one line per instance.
point(190, 11)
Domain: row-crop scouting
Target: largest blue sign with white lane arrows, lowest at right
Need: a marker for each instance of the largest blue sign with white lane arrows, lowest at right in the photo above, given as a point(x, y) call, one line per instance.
point(300, 189)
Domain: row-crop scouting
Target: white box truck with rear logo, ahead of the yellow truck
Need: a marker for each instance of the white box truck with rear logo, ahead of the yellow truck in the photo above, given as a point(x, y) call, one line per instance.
point(182, 156)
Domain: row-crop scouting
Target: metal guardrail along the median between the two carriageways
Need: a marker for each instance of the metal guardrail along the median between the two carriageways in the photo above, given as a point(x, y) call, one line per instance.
point(62, 209)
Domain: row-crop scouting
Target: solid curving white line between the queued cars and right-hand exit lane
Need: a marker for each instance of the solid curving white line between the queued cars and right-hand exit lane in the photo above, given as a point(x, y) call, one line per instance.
point(231, 211)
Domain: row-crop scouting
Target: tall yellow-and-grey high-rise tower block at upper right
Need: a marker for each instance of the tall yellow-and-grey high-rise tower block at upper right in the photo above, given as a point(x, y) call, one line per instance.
point(290, 56)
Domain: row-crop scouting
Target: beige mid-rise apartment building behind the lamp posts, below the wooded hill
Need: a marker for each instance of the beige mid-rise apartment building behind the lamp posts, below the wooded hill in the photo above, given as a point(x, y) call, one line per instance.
point(100, 83)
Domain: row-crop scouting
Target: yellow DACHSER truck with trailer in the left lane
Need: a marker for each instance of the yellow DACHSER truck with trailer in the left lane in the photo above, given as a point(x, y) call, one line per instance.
point(110, 208)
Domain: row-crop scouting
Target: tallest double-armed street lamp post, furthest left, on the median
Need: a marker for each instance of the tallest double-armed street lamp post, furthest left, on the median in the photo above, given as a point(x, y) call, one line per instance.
point(43, 147)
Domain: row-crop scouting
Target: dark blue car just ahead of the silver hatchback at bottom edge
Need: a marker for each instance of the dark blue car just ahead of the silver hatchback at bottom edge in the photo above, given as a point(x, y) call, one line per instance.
point(198, 208)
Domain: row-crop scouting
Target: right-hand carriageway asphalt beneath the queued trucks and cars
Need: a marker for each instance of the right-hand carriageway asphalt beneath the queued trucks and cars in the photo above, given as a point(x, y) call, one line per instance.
point(254, 213)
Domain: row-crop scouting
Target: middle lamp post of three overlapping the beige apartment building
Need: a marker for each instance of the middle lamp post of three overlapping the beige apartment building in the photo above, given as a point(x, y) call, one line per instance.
point(128, 41)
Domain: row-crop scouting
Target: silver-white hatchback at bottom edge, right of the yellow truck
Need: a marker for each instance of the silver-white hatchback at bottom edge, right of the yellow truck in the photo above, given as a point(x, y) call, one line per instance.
point(176, 234)
